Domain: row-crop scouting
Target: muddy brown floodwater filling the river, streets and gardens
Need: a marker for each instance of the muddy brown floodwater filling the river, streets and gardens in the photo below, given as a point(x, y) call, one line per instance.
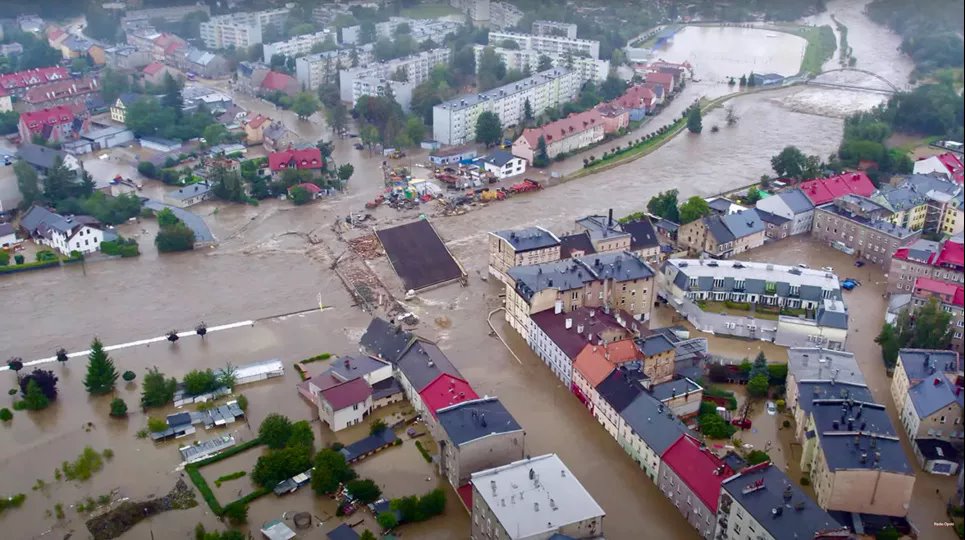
point(272, 264)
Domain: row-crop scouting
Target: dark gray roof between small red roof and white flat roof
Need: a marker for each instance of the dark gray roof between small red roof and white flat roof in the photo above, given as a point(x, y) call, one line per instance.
point(470, 420)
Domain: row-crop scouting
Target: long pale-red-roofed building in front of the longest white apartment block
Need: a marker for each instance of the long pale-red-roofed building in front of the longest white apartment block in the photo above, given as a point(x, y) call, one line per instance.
point(566, 135)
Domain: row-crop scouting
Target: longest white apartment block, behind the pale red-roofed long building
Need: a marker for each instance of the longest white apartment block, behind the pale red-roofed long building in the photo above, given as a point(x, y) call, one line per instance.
point(454, 122)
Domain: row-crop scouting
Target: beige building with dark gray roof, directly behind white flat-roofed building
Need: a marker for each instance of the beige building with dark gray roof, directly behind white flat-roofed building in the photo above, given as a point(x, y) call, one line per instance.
point(476, 435)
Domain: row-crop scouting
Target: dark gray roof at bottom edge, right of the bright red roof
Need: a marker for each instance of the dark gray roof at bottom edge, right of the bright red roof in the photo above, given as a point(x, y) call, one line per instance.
point(777, 504)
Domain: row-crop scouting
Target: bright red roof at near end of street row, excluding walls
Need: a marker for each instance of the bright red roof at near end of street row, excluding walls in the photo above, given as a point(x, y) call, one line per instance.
point(697, 469)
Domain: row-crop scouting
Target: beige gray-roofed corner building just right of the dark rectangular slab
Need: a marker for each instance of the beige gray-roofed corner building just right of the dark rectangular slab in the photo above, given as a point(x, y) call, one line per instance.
point(532, 245)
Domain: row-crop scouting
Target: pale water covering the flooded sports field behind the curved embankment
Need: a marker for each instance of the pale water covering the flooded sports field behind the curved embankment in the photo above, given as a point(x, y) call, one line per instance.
point(717, 53)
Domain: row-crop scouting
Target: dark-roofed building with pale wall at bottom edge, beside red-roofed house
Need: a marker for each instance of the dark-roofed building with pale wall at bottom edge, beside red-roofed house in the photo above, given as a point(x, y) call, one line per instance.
point(762, 502)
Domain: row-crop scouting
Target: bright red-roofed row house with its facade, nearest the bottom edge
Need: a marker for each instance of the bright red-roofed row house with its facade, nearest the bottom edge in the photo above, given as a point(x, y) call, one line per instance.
point(691, 477)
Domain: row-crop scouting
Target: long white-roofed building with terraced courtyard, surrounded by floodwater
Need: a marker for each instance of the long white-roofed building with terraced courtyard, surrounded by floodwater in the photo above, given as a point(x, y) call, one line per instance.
point(744, 299)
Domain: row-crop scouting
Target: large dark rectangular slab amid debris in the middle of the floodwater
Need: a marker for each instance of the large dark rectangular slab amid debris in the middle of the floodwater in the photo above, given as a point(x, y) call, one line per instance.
point(418, 255)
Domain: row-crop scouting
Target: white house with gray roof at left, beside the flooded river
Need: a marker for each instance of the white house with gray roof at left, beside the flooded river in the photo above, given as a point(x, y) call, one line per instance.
point(66, 234)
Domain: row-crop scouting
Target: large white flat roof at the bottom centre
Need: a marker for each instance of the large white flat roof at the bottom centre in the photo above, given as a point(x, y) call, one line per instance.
point(535, 496)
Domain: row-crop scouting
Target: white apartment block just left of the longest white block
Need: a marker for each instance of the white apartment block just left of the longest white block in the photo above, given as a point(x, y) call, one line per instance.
point(417, 67)
